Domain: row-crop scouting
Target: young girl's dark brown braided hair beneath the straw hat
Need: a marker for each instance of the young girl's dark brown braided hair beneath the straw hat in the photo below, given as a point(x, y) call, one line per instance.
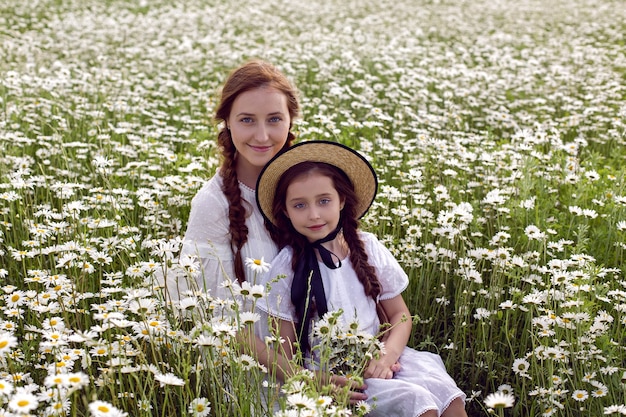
point(348, 221)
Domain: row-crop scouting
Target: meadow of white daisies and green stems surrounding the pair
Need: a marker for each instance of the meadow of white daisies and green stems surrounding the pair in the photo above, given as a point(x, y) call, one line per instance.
point(497, 129)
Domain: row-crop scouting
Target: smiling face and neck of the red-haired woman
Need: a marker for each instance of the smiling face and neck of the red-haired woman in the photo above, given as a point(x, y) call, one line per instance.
point(259, 124)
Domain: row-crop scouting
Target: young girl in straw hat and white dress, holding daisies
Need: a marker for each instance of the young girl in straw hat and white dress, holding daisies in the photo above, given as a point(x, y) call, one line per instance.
point(314, 193)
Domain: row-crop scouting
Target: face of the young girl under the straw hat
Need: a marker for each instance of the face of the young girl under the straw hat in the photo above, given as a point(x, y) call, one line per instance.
point(313, 205)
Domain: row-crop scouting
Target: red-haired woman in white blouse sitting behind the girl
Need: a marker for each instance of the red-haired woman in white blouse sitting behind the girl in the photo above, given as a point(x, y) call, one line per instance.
point(257, 108)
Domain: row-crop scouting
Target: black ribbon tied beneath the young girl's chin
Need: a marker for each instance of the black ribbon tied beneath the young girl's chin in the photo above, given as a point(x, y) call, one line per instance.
point(310, 299)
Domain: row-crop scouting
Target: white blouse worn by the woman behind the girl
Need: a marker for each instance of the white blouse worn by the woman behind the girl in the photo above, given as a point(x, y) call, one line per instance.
point(208, 237)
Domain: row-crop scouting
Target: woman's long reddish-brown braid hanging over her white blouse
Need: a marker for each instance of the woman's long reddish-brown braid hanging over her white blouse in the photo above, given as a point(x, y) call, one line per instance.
point(236, 209)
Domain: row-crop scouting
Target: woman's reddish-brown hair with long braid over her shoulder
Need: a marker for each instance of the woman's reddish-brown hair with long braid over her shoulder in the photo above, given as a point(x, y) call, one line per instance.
point(251, 75)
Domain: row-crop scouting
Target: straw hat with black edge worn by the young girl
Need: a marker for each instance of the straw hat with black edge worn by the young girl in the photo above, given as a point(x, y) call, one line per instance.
point(348, 160)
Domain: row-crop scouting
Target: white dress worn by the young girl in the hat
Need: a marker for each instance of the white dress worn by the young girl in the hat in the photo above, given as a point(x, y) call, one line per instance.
point(423, 383)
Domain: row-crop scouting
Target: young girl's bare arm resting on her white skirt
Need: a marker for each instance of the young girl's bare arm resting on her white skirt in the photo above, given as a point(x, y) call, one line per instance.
point(398, 336)
